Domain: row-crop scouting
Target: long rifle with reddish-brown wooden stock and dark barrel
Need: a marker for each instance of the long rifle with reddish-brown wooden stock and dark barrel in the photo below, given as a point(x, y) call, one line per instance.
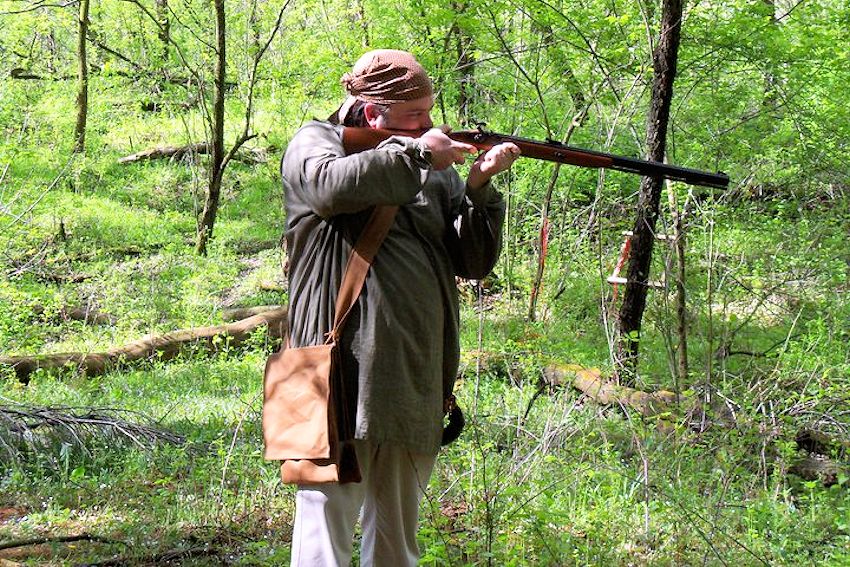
point(361, 139)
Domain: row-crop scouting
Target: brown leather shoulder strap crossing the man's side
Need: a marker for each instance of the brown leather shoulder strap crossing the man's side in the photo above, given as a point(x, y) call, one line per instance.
point(359, 261)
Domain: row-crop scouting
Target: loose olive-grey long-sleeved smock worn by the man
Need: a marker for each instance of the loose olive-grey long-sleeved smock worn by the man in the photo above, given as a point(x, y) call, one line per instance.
point(400, 345)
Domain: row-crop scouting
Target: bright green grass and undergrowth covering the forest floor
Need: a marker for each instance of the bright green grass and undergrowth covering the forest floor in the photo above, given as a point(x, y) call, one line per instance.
point(549, 479)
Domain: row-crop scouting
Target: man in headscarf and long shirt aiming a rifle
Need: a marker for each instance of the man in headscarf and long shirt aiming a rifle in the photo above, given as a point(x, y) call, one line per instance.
point(399, 347)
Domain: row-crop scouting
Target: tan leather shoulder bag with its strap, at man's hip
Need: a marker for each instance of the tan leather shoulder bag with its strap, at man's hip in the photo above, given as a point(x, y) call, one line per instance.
point(305, 425)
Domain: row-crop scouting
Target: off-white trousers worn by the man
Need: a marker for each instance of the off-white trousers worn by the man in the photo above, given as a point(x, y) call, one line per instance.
point(394, 480)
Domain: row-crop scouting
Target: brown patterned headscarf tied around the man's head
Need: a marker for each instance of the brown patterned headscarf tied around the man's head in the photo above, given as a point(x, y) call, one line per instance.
point(385, 76)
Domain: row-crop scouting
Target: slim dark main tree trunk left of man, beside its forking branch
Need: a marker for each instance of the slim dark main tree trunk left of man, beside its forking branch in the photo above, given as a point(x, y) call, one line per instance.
point(207, 222)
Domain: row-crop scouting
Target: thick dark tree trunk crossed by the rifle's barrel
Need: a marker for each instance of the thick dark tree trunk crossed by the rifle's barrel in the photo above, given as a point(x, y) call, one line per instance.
point(664, 58)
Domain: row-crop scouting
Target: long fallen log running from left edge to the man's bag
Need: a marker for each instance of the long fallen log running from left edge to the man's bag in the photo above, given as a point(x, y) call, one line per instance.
point(164, 347)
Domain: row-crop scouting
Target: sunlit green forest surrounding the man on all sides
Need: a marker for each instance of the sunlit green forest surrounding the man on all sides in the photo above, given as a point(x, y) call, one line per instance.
point(655, 373)
